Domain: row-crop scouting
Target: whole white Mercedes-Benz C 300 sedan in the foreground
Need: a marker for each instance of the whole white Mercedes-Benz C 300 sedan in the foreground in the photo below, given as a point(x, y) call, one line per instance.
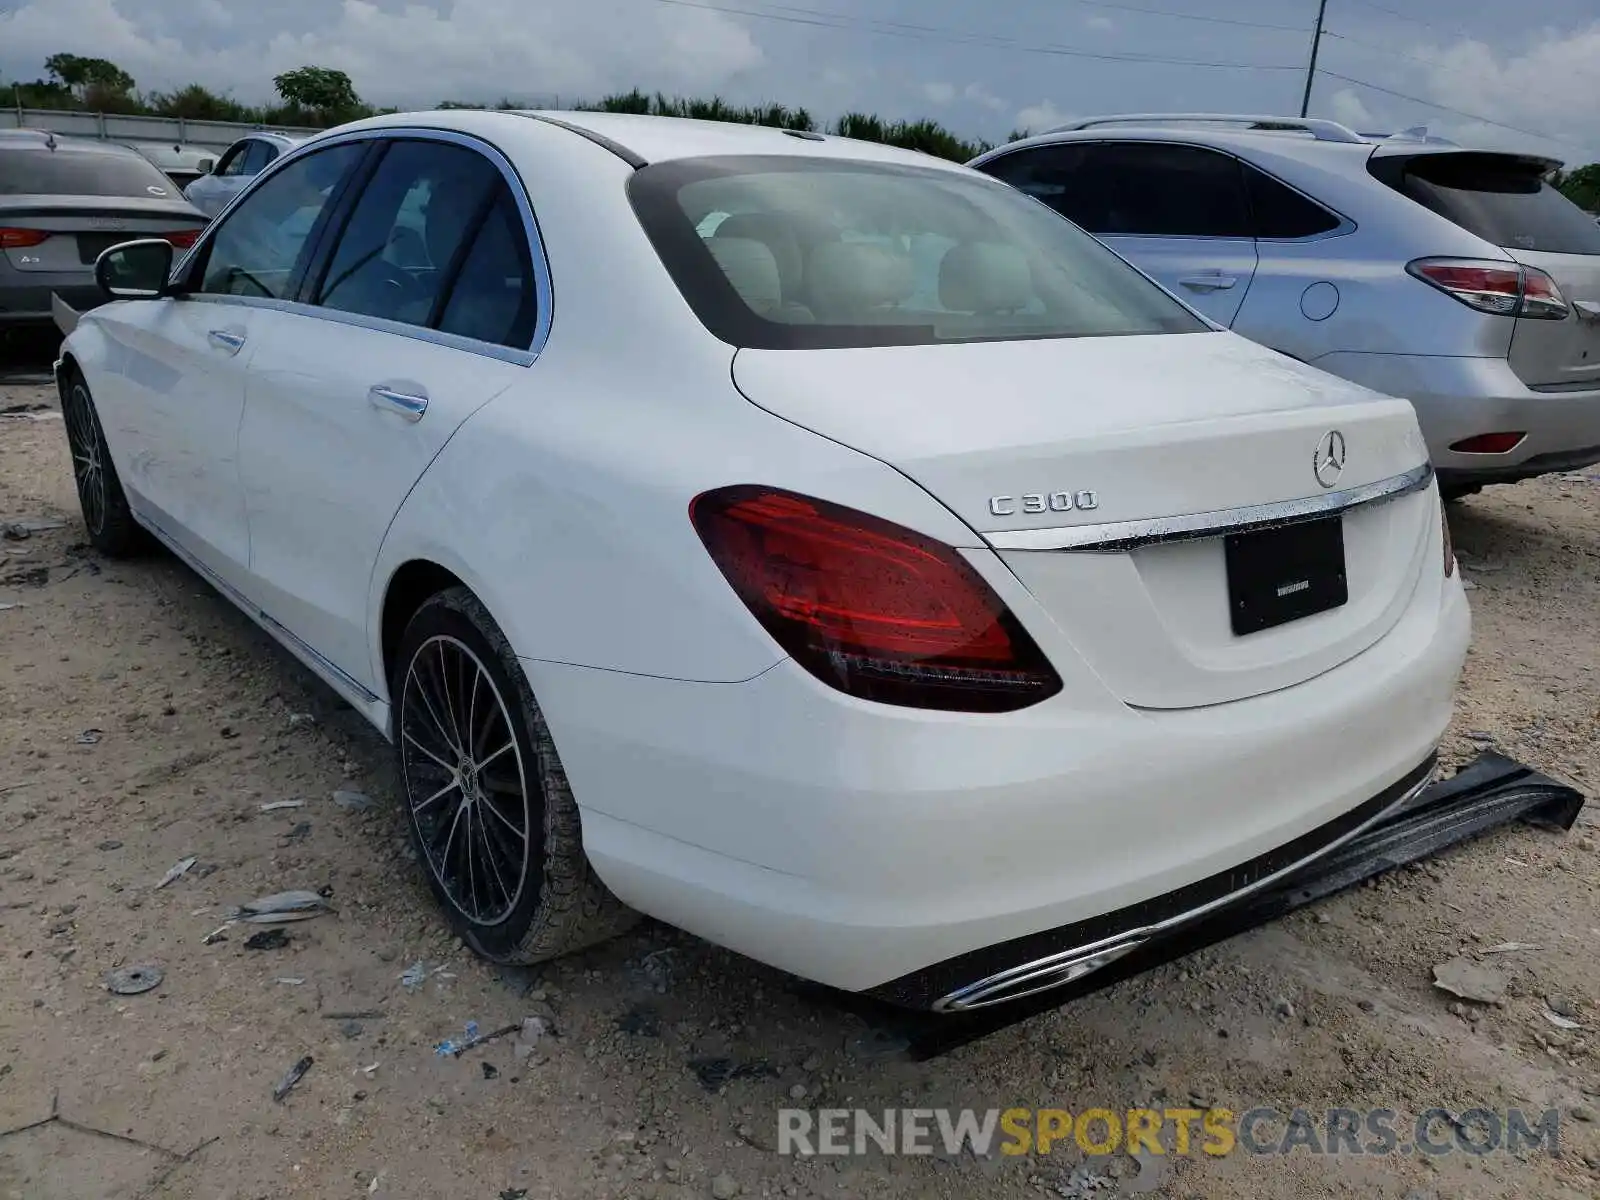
point(817, 546)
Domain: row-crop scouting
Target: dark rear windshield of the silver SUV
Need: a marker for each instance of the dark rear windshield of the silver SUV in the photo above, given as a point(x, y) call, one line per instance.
point(1503, 201)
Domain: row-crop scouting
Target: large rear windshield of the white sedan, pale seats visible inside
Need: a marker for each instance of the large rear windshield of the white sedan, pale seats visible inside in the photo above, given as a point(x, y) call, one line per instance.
point(817, 254)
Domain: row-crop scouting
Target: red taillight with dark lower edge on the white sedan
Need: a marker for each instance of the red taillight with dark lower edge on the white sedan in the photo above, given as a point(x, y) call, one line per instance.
point(870, 607)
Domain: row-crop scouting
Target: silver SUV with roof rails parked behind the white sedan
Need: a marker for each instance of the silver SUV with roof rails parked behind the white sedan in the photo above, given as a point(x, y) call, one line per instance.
point(1457, 279)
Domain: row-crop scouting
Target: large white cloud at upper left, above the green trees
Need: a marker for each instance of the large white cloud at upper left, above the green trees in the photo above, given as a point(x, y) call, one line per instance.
point(476, 50)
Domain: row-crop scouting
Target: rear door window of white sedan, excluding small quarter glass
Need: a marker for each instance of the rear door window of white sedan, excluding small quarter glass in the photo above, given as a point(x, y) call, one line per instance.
point(401, 242)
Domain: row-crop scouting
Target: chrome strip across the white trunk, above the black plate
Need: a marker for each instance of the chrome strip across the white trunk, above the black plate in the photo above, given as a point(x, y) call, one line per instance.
point(1119, 537)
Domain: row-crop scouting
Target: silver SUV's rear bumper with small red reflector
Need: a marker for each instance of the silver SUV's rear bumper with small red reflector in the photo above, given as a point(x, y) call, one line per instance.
point(1457, 399)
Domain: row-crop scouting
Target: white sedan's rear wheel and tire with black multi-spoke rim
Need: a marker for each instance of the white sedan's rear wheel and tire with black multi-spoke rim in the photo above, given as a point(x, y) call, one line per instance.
point(490, 812)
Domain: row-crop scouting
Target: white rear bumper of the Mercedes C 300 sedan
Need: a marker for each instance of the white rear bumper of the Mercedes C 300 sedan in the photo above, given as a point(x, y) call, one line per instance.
point(857, 844)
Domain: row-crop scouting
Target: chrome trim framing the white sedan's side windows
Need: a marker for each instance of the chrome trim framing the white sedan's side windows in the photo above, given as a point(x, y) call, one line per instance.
point(543, 289)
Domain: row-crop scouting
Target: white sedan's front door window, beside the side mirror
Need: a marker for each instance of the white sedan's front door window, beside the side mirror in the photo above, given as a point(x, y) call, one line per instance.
point(257, 249)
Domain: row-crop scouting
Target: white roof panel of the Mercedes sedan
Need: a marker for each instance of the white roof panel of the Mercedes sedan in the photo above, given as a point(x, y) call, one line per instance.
point(650, 140)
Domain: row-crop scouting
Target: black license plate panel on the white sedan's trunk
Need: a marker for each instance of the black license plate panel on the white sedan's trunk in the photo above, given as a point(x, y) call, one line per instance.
point(1286, 574)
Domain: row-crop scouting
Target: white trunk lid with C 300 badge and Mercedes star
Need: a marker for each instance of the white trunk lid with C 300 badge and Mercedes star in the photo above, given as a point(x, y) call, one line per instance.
point(1062, 441)
